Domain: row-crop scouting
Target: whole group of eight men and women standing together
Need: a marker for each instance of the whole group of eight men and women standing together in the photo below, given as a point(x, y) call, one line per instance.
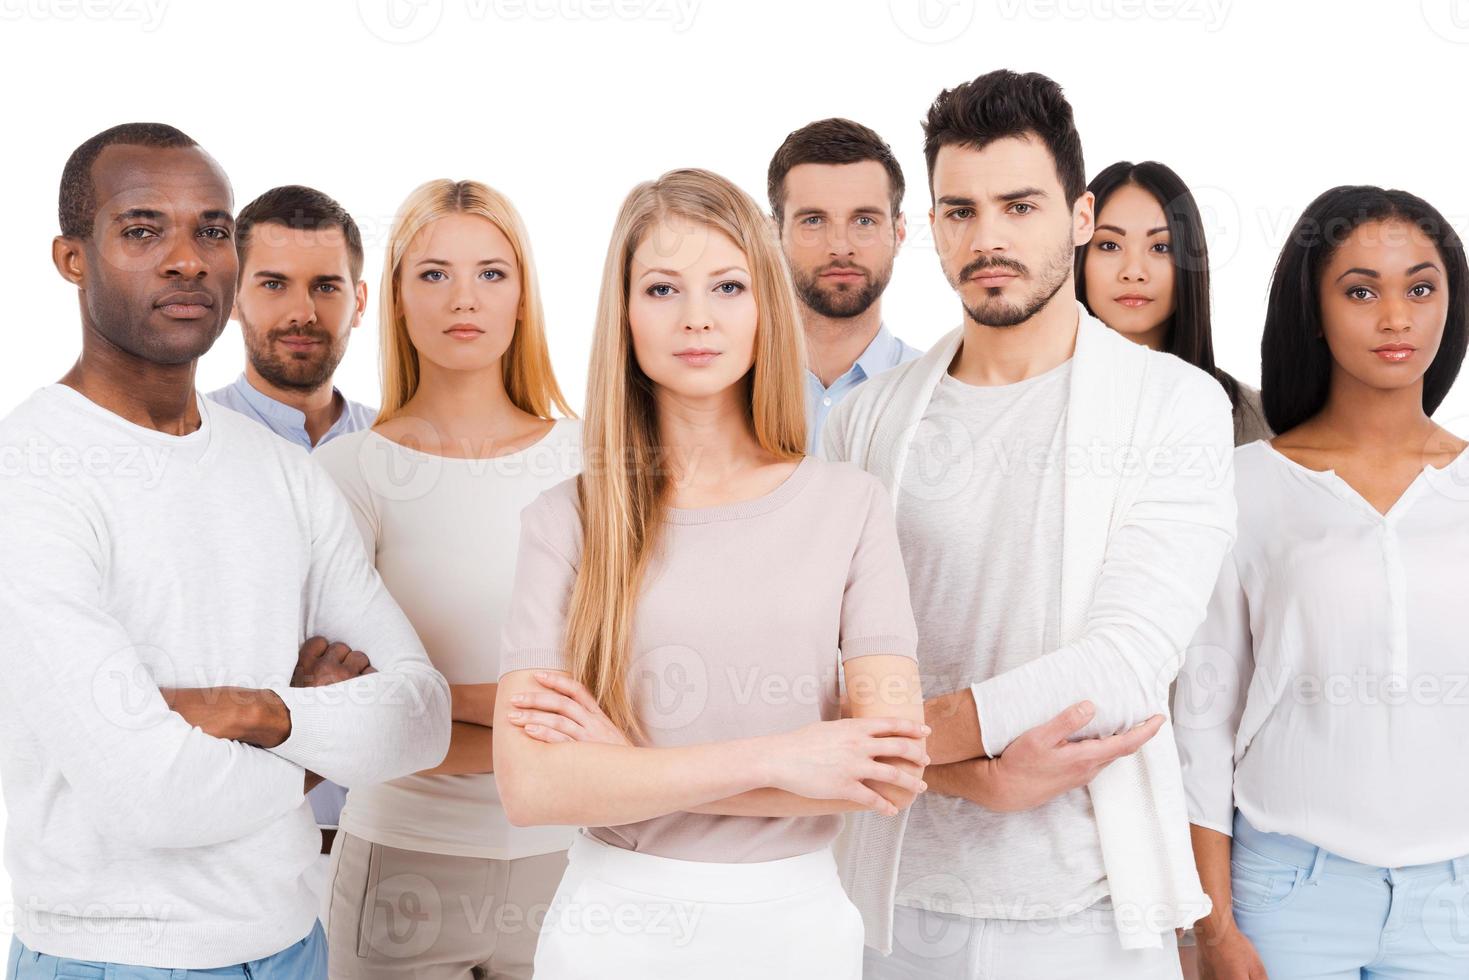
point(804, 653)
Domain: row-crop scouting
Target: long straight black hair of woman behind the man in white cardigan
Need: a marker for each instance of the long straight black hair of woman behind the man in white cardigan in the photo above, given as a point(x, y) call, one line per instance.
point(1191, 334)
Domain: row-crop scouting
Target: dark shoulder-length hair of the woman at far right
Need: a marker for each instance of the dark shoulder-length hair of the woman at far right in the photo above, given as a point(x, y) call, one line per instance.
point(1295, 359)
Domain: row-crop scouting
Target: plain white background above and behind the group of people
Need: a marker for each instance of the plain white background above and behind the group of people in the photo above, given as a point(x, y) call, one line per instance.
point(565, 105)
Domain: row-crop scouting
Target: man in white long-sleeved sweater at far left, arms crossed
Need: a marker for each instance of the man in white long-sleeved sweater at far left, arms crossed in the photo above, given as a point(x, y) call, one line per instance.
point(162, 561)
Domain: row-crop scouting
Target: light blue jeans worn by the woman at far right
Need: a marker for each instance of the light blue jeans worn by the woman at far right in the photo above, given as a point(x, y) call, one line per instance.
point(1317, 916)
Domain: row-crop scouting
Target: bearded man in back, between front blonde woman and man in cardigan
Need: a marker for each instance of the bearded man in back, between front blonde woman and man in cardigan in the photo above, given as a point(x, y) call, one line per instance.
point(837, 196)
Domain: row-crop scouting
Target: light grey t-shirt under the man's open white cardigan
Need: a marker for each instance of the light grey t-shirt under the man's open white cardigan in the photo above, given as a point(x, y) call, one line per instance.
point(979, 522)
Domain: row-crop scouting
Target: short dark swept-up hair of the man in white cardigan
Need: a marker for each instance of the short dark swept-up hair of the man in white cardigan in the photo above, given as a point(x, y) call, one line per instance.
point(1001, 105)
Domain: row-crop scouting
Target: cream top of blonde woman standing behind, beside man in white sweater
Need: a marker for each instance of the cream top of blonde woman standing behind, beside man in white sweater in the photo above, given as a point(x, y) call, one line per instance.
point(443, 534)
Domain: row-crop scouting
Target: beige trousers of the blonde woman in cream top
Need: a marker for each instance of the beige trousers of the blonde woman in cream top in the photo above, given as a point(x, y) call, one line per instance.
point(416, 916)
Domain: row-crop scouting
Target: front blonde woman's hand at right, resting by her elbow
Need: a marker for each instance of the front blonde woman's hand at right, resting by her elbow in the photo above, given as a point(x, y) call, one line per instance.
point(837, 760)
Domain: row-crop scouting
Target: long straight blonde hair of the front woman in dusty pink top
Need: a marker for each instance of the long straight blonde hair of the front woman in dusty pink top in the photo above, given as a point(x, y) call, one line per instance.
point(624, 487)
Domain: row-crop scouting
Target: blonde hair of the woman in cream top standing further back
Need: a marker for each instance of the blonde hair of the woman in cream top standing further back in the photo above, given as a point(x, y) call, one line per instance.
point(527, 364)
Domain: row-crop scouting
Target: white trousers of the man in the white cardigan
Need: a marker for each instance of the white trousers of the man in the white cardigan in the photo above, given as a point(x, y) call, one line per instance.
point(1083, 947)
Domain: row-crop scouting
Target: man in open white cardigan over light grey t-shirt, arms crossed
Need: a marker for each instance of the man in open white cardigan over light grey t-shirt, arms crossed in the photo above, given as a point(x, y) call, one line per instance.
point(1064, 503)
